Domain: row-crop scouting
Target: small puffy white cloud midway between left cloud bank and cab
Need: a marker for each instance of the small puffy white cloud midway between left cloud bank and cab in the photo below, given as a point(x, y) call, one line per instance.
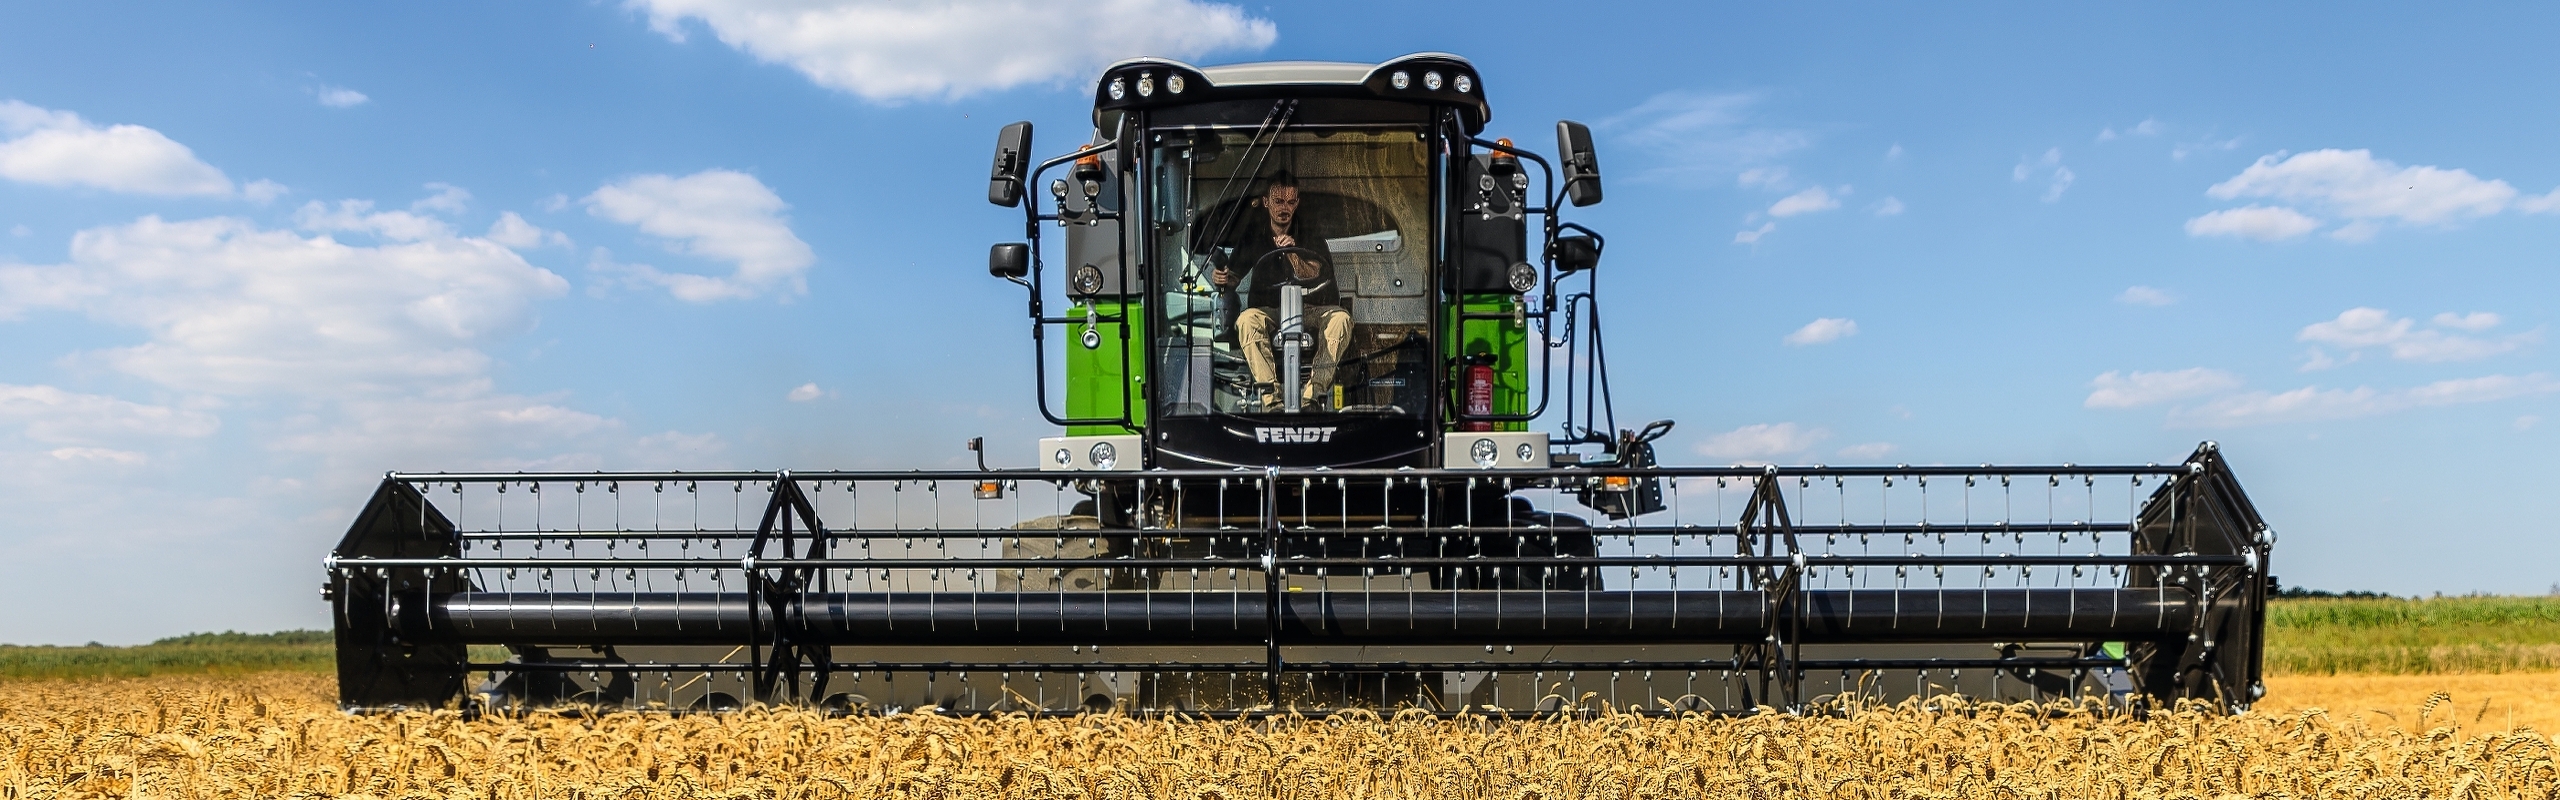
point(716, 214)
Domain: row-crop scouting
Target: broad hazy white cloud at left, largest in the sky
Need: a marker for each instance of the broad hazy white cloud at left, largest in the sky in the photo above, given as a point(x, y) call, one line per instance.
point(234, 309)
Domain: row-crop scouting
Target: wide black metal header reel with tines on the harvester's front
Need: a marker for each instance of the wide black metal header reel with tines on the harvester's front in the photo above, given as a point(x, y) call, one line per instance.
point(406, 599)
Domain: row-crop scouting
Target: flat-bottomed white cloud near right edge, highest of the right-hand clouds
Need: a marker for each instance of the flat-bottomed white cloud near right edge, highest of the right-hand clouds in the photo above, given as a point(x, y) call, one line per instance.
point(2362, 191)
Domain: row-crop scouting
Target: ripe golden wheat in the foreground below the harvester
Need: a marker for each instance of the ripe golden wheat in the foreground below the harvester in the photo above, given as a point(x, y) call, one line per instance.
point(280, 737)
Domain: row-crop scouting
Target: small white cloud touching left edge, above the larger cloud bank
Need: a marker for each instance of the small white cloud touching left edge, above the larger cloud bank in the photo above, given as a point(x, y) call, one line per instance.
point(60, 150)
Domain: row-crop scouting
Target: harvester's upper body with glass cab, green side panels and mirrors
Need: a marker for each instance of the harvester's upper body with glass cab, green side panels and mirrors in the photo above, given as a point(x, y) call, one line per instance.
point(1304, 265)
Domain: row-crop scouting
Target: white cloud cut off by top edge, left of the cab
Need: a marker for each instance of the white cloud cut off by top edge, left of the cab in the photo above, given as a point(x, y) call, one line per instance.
point(884, 50)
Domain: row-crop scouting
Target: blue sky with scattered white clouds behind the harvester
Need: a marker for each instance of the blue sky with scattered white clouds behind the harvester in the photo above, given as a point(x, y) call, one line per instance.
point(252, 255)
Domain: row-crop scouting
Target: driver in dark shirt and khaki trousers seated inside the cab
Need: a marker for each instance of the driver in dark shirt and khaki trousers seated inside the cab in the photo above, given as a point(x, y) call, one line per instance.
point(1263, 232)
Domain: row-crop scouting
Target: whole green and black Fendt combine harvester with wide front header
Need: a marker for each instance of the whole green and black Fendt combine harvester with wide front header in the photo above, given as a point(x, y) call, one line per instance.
point(1302, 345)
